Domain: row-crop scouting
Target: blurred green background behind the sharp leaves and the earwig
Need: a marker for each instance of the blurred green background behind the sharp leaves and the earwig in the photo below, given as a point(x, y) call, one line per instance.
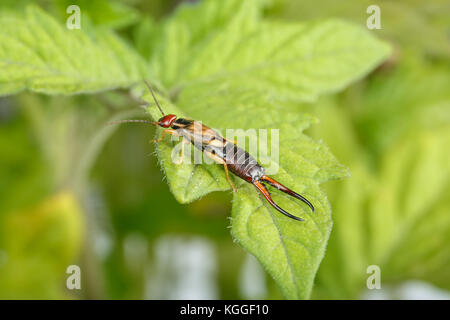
point(73, 191)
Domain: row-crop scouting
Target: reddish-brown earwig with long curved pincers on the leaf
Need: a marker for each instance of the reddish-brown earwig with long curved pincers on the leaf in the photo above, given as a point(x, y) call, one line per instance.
point(223, 151)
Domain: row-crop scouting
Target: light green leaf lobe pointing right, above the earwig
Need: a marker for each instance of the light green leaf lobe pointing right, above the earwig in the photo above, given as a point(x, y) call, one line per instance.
point(291, 61)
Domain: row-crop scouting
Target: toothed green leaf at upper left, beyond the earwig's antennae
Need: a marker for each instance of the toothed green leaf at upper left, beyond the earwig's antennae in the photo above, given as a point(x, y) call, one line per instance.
point(39, 53)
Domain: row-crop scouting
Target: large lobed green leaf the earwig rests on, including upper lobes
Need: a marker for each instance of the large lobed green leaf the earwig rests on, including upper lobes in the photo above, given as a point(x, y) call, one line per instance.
point(241, 72)
